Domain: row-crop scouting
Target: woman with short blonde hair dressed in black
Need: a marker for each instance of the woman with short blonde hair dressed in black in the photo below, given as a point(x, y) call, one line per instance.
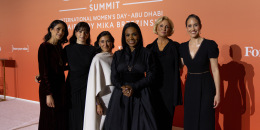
point(167, 88)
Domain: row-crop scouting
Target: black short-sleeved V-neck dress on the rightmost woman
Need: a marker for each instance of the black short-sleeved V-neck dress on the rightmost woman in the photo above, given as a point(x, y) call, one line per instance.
point(199, 113)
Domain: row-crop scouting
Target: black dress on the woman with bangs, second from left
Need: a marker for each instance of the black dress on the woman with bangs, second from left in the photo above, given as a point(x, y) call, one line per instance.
point(79, 59)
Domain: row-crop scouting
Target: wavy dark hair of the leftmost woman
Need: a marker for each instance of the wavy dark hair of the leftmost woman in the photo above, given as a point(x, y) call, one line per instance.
point(52, 25)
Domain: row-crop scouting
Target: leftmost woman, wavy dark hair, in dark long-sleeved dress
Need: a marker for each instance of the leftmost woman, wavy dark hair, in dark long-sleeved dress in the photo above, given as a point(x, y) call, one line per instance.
point(52, 85)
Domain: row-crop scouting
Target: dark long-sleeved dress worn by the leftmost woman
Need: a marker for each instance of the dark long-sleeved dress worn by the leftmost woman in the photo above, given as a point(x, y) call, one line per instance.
point(52, 83)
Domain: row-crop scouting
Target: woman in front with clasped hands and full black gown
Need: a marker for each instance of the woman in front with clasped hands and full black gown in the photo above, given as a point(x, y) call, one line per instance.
point(132, 73)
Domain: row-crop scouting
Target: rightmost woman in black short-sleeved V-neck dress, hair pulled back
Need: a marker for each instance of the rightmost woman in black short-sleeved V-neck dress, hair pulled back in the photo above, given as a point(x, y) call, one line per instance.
point(202, 92)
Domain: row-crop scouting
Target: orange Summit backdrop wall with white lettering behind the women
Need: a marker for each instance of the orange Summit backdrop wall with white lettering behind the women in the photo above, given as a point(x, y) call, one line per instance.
point(233, 24)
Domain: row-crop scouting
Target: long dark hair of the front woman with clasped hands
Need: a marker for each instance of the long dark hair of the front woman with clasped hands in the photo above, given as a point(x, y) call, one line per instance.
point(140, 42)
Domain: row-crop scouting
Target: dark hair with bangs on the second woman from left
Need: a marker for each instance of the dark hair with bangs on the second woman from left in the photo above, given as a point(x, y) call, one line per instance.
point(78, 27)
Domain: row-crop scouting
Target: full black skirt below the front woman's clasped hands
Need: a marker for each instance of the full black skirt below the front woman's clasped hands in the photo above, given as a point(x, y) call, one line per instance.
point(130, 113)
